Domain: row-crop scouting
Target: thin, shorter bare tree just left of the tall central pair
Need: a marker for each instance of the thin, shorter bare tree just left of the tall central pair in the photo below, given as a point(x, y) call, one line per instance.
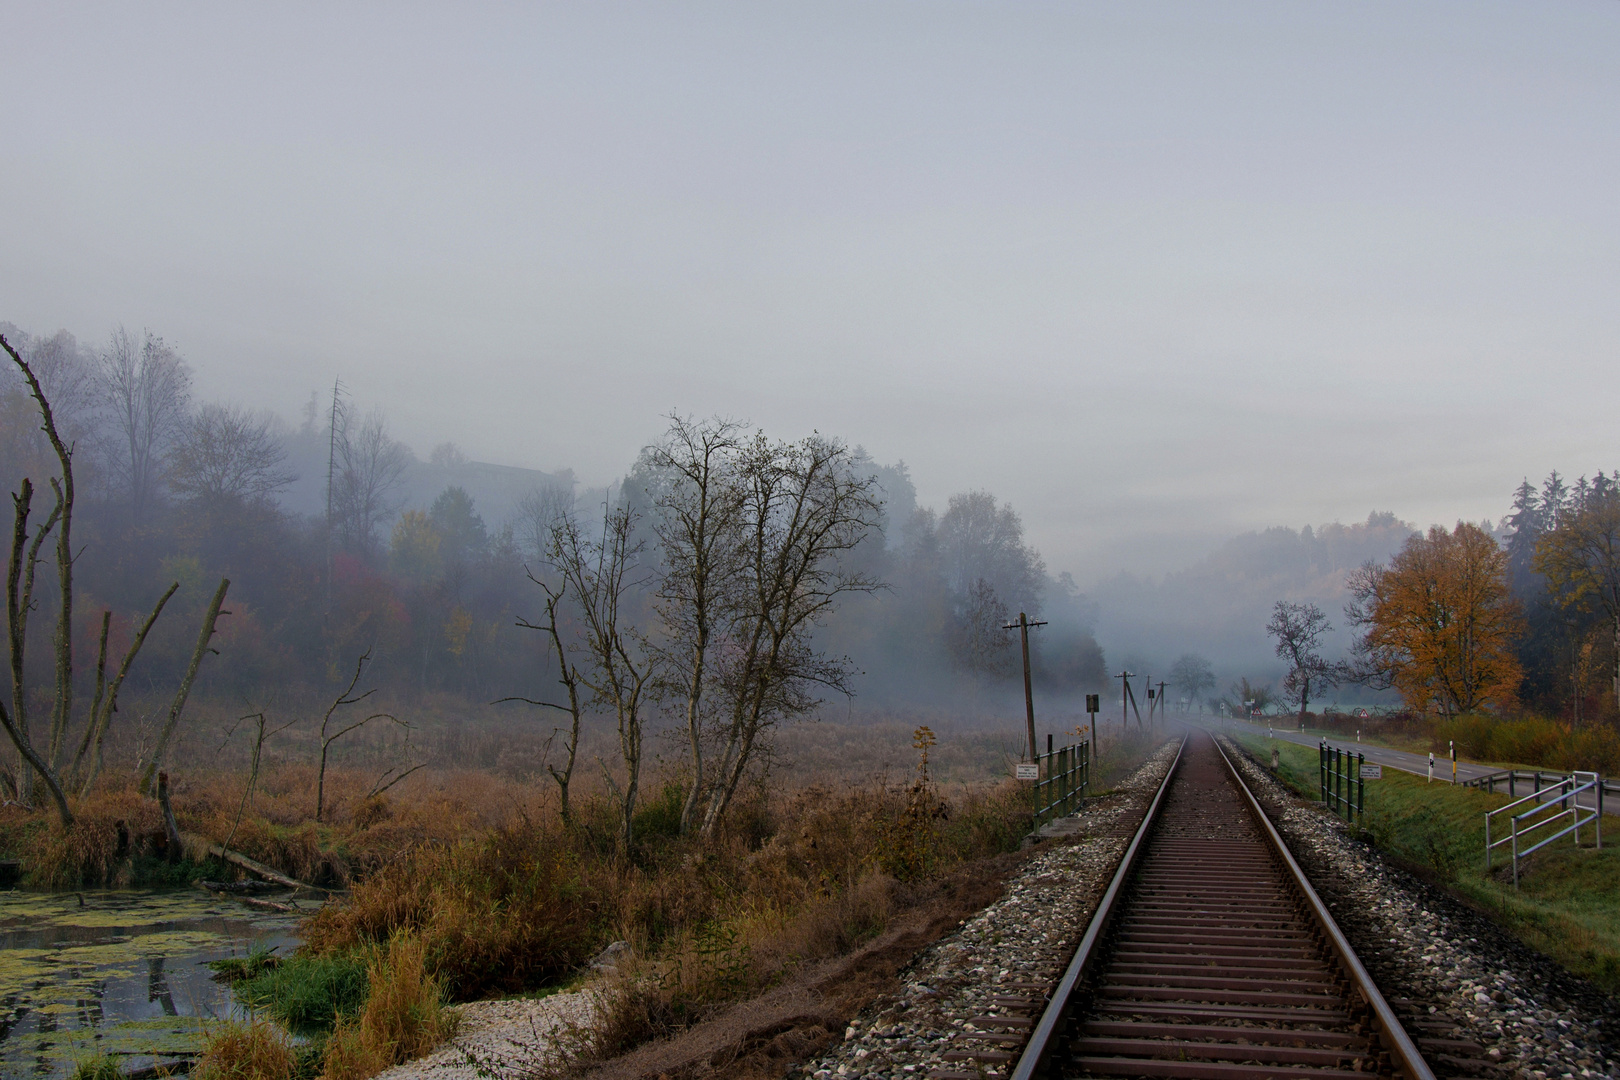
point(620, 673)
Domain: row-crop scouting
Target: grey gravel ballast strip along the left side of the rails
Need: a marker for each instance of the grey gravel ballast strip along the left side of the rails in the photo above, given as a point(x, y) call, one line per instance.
point(1028, 937)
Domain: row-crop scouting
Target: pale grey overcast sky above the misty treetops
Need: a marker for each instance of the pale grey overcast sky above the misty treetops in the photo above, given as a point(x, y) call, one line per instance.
point(1156, 274)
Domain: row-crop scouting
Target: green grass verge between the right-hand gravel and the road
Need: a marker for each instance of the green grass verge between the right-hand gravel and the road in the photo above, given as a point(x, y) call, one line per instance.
point(1569, 899)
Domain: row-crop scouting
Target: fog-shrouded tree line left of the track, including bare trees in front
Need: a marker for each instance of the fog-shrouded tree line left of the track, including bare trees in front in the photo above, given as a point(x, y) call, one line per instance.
point(723, 587)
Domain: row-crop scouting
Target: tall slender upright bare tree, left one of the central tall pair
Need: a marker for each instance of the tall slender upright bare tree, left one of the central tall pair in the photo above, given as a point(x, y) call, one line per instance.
point(699, 501)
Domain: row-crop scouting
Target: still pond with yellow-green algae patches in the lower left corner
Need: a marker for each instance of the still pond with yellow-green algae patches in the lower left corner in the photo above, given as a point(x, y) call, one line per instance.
point(119, 972)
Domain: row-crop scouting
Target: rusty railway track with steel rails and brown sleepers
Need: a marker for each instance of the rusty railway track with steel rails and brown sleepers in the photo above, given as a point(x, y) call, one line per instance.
point(1209, 956)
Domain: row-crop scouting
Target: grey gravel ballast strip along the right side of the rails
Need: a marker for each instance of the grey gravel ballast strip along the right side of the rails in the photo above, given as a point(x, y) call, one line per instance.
point(1464, 974)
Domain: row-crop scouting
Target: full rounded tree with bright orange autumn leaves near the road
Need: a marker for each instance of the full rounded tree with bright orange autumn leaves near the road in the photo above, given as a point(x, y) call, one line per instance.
point(1439, 623)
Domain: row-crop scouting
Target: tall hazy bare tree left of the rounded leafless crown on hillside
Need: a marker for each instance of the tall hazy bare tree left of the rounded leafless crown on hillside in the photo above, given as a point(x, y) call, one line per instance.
point(147, 389)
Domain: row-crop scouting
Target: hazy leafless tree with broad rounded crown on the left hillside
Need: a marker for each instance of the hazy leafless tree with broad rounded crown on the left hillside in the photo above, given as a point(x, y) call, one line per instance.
point(229, 454)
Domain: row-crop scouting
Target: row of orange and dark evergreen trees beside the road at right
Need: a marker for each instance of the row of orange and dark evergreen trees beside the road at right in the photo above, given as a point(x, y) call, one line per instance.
point(1460, 623)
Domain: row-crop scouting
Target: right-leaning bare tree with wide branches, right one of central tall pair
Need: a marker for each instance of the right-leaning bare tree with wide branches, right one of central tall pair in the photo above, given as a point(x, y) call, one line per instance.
point(804, 511)
